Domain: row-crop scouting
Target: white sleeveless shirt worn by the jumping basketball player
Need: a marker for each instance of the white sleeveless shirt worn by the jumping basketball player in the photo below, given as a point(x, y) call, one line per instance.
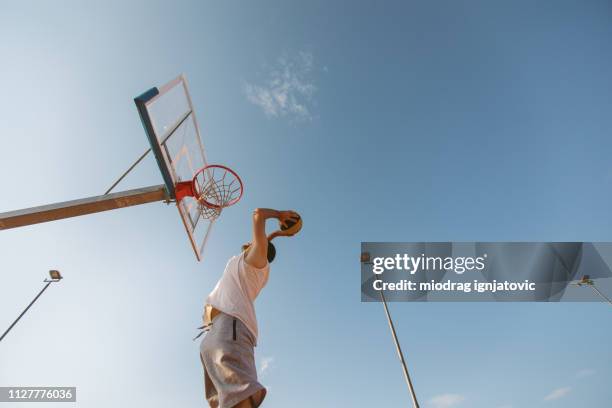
point(237, 289)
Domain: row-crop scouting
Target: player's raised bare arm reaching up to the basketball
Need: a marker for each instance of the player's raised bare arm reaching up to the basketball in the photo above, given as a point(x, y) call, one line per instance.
point(257, 254)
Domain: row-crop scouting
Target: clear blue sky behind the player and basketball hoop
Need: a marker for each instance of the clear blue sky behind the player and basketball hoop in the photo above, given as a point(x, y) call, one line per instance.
point(408, 121)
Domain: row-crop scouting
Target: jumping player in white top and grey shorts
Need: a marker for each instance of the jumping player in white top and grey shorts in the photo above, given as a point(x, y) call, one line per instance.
point(227, 350)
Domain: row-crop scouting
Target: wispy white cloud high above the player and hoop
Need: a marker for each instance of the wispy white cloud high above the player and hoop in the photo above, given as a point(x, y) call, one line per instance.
point(289, 88)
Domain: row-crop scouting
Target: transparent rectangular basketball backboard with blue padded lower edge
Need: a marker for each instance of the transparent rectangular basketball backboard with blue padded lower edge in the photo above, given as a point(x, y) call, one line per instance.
point(171, 126)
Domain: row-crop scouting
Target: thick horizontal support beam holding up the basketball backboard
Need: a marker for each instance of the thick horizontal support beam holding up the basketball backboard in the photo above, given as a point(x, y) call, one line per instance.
point(83, 206)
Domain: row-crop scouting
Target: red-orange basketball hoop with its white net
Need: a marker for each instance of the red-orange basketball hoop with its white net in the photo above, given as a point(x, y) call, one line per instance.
point(214, 187)
